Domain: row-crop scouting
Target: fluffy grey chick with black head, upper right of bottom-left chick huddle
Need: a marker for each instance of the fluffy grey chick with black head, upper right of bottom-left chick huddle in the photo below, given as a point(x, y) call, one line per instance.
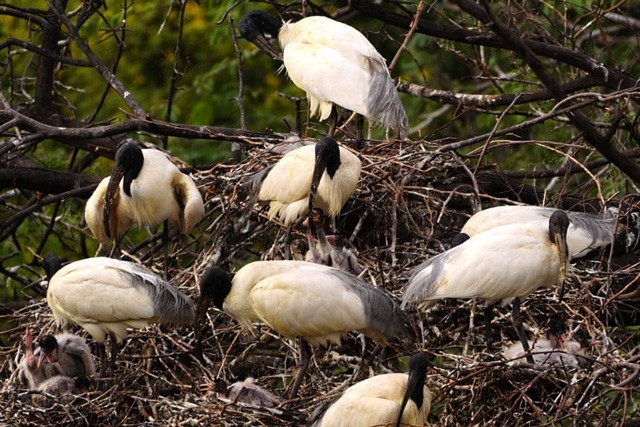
point(70, 352)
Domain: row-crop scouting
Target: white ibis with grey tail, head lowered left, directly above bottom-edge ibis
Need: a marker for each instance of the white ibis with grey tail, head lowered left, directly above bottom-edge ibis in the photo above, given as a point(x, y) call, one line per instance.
point(302, 300)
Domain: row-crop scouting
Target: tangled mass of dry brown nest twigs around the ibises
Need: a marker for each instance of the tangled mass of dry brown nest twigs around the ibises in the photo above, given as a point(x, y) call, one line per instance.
point(402, 213)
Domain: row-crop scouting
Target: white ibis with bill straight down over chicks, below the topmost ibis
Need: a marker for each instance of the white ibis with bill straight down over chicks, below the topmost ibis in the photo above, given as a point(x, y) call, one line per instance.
point(323, 175)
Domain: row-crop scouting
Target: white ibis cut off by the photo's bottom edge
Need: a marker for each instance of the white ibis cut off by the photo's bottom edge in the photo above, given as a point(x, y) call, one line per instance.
point(387, 399)
